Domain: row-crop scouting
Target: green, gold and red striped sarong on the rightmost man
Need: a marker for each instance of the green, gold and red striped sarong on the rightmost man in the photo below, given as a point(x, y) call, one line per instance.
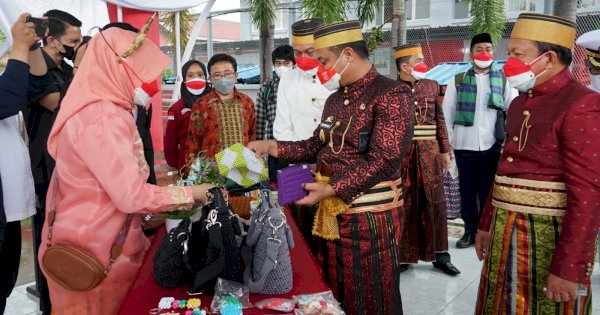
point(515, 271)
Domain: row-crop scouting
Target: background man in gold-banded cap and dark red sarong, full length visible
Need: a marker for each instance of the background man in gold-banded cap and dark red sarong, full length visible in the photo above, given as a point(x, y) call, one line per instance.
point(425, 234)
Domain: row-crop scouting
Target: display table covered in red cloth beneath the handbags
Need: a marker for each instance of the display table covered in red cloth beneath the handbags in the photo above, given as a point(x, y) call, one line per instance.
point(145, 294)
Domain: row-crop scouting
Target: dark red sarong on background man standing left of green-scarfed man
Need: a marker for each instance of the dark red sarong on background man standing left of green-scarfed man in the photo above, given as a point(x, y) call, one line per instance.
point(425, 227)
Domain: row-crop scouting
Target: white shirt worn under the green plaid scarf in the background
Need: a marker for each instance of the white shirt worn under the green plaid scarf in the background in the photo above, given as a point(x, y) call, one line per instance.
point(480, 136)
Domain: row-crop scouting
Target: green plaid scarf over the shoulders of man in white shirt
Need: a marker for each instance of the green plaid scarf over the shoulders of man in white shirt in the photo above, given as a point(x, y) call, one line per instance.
point(467, 95)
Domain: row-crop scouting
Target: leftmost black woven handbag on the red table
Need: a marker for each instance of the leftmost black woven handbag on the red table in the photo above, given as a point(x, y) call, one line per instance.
point(170, 268)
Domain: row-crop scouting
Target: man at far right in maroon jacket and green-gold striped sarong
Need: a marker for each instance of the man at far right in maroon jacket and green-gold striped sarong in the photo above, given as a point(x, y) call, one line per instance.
point(539, 226)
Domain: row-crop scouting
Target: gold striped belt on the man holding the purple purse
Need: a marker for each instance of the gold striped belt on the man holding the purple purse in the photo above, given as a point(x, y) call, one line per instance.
point(381, 197)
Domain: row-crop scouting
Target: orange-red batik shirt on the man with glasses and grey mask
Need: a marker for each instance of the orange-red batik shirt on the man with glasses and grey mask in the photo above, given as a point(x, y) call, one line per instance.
point(216, 124)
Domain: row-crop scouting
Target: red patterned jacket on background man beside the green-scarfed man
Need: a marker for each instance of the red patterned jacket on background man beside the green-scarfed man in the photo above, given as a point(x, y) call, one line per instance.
point(428, 108)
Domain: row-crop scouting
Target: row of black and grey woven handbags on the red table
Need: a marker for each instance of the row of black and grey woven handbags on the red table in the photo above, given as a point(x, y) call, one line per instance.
point(200, 252)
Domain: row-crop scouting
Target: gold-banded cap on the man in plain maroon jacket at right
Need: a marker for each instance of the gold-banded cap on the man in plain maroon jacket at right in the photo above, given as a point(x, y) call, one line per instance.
point(545, 28)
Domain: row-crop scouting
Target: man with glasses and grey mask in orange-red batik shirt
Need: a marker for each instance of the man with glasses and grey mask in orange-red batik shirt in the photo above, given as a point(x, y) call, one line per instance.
point(222, 117)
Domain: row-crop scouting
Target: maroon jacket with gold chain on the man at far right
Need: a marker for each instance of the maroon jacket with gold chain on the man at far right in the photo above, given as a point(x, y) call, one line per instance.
point(563, 145)
